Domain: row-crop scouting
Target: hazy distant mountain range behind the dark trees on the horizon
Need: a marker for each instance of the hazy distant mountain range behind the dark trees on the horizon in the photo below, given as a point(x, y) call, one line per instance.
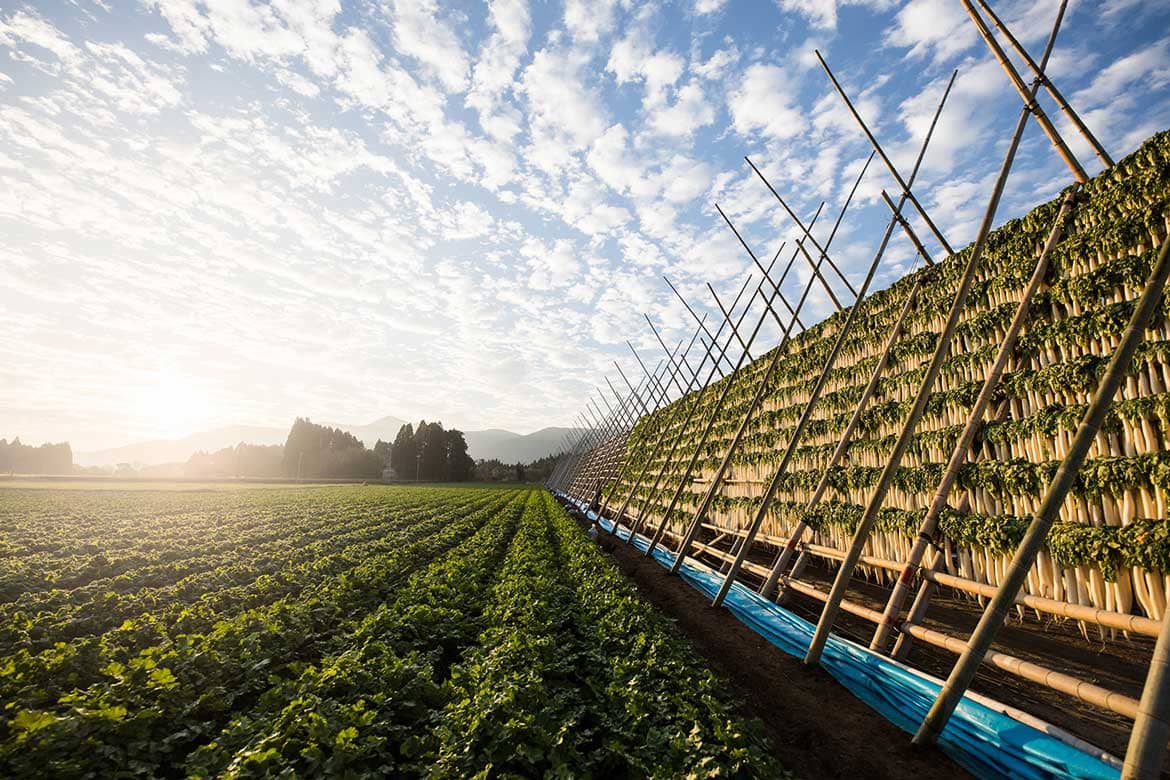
point(492, 444)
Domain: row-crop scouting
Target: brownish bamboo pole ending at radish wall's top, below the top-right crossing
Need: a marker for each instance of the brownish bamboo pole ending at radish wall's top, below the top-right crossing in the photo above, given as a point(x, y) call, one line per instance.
point(1007, 351)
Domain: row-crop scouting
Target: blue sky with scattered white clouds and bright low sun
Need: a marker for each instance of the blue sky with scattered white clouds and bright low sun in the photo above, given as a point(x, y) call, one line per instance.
point(231, 212)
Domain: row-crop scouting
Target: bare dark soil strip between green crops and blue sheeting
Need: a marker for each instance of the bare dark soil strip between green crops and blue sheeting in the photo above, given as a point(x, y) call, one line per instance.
point(817, 728)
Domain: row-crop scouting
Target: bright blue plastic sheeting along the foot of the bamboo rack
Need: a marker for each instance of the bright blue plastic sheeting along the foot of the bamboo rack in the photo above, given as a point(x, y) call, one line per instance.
point(986, 742)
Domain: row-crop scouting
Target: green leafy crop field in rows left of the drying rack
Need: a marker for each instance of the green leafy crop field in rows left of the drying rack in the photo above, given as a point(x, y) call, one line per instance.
point(339, 631)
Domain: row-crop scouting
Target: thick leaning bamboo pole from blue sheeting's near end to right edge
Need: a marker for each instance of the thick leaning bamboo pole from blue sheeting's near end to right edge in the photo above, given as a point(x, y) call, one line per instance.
point(1034, 540)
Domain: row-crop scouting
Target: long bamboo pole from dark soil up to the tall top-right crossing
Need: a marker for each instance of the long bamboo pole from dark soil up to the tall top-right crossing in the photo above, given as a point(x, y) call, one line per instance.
point(878, 498)
